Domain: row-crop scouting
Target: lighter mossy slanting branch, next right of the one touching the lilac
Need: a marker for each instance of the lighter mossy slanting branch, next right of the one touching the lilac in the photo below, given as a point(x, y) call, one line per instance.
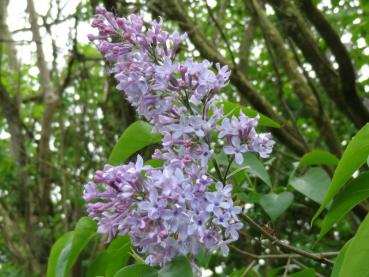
point(299, 85)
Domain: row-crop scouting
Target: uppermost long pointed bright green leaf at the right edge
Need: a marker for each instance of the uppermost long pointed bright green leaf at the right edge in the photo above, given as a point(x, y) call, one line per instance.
point(353, 158)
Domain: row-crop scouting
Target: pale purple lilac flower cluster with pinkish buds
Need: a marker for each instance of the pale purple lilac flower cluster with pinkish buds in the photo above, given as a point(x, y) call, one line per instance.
point(179, 208)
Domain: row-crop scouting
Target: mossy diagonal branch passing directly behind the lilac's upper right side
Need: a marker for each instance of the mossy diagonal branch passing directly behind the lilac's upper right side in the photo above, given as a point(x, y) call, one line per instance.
point(287, 134)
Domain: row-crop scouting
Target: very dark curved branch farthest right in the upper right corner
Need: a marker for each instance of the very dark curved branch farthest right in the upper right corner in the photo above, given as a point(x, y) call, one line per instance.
point(346, 69)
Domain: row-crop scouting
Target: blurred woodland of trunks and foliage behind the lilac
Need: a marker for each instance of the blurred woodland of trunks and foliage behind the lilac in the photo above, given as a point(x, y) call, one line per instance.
point(303, 63)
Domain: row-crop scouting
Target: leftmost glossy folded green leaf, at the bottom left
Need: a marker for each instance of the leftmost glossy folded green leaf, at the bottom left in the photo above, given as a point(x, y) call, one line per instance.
point(69, 247)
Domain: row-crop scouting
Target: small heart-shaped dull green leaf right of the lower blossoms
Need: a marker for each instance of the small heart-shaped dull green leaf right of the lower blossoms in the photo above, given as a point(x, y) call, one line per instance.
point(276, 204)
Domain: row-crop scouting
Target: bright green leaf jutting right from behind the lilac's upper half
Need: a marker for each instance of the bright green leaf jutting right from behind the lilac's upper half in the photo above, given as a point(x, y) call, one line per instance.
point(234, 109)
